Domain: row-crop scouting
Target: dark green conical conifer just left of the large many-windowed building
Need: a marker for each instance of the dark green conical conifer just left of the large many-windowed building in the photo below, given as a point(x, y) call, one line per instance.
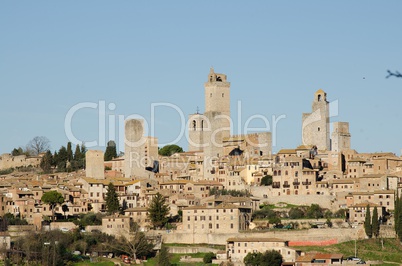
point(158, 211)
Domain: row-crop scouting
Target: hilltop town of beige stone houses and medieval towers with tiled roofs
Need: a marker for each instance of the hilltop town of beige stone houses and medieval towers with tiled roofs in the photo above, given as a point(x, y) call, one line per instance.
point(226, 189)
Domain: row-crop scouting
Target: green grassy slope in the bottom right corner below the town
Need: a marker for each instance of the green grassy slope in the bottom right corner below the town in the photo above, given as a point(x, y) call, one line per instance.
point(370, 249)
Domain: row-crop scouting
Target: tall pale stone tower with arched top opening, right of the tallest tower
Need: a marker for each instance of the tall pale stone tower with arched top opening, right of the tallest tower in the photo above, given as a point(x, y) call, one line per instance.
point(315, 125)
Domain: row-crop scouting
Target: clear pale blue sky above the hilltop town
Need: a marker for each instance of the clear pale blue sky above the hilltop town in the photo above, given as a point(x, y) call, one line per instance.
point(55, 55)
